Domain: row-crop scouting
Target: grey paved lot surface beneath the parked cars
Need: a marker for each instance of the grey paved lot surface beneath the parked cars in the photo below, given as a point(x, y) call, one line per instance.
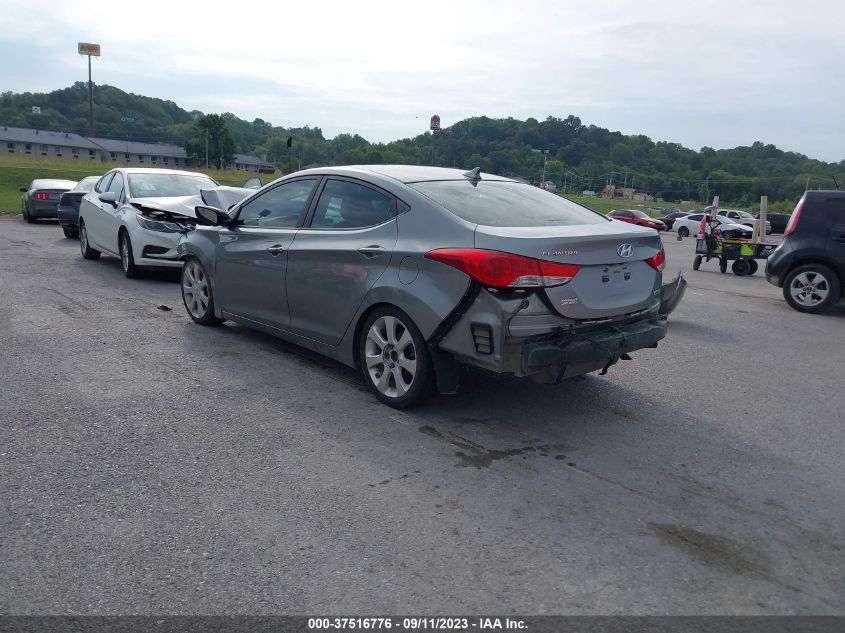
point(153, 466)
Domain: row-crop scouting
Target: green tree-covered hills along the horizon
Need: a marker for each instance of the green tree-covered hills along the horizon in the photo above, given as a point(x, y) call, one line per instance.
point(580, 156)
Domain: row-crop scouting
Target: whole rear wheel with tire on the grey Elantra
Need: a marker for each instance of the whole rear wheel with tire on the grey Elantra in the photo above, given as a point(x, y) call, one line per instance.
point(394, 359)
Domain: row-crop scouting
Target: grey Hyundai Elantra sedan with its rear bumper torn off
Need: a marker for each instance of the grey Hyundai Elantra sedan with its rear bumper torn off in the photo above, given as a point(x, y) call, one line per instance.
point(405, 271)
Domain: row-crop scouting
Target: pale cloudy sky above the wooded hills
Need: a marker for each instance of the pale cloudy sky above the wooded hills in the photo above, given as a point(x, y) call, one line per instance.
point(711, 73)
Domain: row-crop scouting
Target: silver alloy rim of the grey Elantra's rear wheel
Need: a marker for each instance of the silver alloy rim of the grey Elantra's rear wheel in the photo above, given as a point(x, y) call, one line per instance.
point(390, 356)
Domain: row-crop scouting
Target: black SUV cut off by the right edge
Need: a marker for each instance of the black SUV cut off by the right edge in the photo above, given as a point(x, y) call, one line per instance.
point(810, 262)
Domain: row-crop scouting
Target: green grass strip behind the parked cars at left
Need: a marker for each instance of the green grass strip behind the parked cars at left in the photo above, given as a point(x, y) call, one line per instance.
point(17, 172)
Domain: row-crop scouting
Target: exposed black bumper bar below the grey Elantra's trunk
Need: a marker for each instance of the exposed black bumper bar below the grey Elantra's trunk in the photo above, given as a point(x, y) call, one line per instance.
point(602, 347)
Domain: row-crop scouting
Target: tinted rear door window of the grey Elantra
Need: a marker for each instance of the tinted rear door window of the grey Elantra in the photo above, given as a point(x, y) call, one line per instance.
point(349, 205)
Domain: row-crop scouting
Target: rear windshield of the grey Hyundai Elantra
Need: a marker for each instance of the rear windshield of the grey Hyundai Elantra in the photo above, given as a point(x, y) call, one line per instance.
point(496, 203)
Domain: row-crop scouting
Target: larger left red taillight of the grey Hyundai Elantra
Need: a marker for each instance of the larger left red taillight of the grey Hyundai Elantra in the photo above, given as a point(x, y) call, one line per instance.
point(505, 270)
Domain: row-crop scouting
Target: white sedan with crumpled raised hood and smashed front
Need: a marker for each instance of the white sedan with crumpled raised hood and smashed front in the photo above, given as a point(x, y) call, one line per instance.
point(136, 214)
